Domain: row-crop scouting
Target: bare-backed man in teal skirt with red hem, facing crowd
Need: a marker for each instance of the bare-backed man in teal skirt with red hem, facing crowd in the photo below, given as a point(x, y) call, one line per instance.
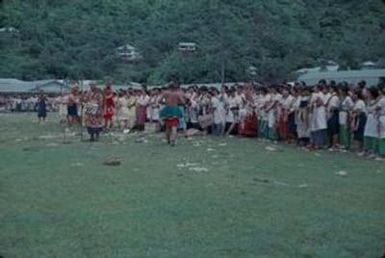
point(171, 114)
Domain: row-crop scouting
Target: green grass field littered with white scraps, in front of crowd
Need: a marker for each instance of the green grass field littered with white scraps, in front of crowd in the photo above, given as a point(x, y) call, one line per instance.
point(207, 197)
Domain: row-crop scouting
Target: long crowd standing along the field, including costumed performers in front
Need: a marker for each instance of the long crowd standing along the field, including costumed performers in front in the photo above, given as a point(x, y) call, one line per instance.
point(338, 117)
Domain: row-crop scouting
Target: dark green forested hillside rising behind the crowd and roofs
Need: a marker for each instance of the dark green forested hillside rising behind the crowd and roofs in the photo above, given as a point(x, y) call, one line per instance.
point(78, 38)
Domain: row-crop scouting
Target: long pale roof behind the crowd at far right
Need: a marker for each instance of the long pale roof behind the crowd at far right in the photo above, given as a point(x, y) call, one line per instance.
point(371, 76)
